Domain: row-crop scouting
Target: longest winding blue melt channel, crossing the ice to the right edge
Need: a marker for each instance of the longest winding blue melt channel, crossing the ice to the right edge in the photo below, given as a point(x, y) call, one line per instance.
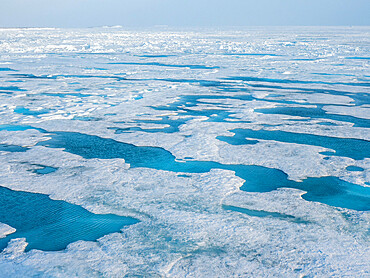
point(328, 190)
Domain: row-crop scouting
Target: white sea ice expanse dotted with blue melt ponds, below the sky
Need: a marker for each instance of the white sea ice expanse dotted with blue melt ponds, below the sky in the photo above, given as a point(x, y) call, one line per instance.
point(185, 153)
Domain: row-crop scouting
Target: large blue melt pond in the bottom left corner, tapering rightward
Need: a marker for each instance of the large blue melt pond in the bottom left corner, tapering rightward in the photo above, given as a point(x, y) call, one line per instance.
point(51, 225)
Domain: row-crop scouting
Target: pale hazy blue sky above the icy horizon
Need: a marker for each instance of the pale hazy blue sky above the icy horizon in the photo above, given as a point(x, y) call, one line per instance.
point(182, 13)
